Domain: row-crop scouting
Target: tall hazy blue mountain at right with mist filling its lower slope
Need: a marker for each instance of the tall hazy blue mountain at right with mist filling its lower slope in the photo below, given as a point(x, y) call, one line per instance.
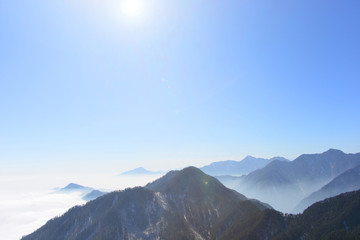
point(284, 184)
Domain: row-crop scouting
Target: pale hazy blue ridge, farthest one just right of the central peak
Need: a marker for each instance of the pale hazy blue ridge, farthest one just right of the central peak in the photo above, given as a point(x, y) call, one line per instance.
point(237, 168)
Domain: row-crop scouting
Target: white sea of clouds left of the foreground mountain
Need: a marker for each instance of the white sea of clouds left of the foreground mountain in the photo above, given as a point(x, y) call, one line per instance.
point(28, 202)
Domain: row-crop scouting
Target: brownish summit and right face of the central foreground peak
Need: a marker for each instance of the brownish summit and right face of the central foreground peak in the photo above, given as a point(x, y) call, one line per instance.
point(201, 198)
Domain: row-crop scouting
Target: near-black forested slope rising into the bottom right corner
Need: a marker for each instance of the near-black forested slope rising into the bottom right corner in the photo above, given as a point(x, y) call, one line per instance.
point(333, 218)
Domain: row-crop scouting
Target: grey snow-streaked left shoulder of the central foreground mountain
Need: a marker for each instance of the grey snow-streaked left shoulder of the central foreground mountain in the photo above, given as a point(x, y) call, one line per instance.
point(131, 214)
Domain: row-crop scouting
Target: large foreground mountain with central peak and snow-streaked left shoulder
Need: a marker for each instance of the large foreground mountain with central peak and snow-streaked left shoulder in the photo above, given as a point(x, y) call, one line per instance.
point(186, 204)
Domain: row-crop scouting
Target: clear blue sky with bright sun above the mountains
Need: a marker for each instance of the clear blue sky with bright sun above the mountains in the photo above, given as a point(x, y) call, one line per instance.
point(169, 83)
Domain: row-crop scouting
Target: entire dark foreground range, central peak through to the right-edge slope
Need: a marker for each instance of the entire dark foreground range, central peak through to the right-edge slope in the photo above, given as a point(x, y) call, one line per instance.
point(189, 204)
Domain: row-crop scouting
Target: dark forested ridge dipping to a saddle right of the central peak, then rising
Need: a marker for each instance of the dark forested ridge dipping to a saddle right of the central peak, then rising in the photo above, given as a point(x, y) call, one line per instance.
point(333, 218)
